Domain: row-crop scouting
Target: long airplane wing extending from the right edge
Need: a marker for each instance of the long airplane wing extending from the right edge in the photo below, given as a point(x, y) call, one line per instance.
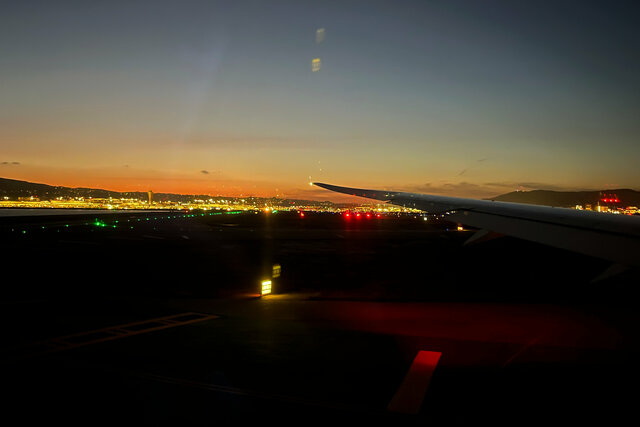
point(612, 237)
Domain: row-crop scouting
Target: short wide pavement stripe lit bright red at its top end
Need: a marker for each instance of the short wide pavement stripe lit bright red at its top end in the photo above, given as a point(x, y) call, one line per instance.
point(408, 399)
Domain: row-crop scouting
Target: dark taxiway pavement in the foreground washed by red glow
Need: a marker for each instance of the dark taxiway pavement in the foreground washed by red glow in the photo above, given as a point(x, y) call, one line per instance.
point(286, 355)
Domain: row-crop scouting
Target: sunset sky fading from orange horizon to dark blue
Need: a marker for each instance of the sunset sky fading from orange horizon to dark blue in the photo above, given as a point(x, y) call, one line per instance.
point(464, 98)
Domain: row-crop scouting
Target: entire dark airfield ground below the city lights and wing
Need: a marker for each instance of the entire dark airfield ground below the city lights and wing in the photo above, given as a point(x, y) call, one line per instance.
point(161, 323)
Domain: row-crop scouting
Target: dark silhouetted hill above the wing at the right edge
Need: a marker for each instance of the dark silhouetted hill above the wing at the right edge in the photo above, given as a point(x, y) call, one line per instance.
point(569, 198)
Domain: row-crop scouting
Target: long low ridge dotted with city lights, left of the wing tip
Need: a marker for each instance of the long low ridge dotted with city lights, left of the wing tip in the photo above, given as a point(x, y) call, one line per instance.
point(13, 189)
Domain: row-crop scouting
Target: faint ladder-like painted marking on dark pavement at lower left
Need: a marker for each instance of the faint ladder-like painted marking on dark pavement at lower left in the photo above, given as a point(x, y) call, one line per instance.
point(122, 331)
